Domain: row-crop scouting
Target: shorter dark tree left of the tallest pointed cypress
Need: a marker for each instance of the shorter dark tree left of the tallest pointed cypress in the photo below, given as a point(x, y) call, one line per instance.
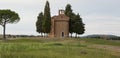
point(39, 23)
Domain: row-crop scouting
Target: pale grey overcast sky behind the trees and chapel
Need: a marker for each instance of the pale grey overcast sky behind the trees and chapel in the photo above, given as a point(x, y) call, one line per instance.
point(99, 16)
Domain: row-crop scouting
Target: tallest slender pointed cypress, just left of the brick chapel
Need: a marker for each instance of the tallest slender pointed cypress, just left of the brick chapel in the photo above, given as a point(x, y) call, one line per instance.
point(47, 18)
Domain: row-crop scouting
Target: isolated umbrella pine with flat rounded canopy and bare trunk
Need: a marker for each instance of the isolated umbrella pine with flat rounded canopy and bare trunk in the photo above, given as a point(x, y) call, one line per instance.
point(8, 16)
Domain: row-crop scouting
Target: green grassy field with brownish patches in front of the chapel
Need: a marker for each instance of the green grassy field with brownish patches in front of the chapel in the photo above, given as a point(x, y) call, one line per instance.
point(59, 48)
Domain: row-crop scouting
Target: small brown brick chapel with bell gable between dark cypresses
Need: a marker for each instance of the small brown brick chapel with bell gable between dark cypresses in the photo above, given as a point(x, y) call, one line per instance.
point(59, 25)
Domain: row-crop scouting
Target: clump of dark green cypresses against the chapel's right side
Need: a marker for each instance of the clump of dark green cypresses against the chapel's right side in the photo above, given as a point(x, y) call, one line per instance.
point(75, 22)
